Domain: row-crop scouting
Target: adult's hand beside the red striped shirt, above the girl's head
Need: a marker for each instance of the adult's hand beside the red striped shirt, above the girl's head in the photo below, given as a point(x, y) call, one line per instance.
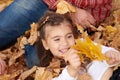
point(82, 17)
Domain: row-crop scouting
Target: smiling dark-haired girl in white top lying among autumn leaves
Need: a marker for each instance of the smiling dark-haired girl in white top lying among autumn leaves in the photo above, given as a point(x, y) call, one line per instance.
point(57, 35)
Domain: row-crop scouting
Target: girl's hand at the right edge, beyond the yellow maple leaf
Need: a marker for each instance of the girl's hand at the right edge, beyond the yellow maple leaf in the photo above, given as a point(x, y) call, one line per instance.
point(114, 57)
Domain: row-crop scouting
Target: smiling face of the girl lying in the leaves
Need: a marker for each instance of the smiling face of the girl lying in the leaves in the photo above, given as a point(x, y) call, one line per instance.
point(58, 39)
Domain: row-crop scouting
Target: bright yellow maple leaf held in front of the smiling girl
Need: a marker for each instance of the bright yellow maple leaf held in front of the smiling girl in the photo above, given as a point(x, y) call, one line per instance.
point(89, 48)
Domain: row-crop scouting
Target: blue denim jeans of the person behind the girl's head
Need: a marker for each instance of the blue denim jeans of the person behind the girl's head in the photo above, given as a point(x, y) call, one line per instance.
point(15, 20)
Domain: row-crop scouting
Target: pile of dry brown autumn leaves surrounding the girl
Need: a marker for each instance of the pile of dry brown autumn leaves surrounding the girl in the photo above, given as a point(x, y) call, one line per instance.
point(108, 33)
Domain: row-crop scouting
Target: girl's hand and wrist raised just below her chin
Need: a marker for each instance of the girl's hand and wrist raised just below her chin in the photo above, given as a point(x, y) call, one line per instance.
point(74, 62)
